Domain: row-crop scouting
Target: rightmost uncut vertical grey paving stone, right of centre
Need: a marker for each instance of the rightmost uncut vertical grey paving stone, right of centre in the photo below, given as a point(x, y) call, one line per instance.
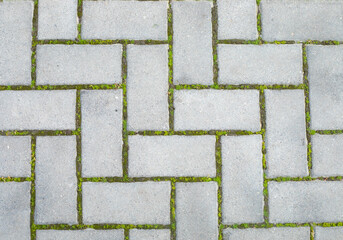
point(286, 142)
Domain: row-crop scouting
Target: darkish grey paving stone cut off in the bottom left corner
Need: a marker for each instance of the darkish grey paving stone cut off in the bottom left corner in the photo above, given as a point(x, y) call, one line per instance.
point(15, 210)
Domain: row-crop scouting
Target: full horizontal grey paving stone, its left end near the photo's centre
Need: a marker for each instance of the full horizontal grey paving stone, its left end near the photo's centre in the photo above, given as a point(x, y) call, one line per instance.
point(217, 110)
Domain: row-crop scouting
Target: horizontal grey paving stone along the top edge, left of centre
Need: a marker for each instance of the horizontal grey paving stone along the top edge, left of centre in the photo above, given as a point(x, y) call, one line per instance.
point(124, 20)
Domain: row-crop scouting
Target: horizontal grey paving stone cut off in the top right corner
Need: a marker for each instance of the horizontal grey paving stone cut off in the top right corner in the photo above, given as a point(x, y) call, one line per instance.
point(301, 20)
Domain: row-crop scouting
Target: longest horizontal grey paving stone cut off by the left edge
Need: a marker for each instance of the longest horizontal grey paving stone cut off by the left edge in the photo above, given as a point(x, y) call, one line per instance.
point(37, 110)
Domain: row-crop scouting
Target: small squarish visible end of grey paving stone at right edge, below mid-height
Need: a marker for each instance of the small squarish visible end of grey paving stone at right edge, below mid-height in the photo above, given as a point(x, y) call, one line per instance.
point(327, 152)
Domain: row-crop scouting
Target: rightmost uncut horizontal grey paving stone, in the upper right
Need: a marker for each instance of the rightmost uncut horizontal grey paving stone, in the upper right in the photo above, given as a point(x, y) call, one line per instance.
point(260, 64)
